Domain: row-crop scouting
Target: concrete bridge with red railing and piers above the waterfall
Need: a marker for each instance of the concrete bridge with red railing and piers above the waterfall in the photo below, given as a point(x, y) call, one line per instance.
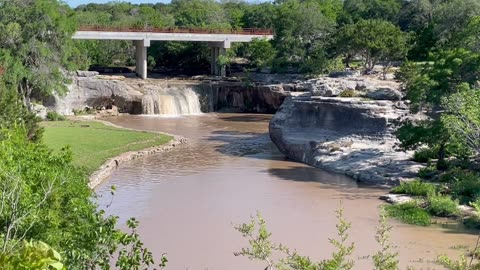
point(218, 40)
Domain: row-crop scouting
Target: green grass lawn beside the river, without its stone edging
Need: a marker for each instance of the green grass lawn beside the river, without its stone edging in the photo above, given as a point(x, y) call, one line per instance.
point(92, 143)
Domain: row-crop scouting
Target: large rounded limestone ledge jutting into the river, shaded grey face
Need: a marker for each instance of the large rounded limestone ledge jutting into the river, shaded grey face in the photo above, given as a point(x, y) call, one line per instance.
point(352, 136)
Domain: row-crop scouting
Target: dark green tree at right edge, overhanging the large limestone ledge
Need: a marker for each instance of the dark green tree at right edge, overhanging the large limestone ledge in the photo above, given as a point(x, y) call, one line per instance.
point(426, 86)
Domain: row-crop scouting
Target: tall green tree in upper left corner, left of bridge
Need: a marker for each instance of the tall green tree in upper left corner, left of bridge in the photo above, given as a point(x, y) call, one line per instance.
point(42, 49)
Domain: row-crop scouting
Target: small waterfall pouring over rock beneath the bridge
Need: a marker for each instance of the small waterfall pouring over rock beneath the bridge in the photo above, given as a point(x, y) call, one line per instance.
point(171, 101)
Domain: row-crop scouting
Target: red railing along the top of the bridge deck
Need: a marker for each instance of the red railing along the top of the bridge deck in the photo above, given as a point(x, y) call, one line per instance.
point(242, 31)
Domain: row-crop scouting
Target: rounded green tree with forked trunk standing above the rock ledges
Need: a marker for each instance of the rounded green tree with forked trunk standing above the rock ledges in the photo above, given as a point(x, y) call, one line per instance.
point(375, 41)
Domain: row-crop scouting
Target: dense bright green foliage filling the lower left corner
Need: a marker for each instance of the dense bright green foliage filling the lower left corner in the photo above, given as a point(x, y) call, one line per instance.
point(46, 199)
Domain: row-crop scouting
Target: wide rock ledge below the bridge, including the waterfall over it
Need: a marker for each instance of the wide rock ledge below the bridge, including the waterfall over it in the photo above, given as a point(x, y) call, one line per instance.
point(158, 96)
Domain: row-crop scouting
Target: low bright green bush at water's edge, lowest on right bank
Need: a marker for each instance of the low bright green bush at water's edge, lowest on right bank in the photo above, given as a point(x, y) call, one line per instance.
point(409, 213)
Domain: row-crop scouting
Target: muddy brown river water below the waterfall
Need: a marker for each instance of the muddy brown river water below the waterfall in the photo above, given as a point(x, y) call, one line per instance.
point(189, 199)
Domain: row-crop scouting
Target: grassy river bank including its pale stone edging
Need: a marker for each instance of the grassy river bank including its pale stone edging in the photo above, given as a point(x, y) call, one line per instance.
point(99, 146)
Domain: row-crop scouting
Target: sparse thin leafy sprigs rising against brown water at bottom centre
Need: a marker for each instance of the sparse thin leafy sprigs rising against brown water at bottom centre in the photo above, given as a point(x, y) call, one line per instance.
point(261, 248)
